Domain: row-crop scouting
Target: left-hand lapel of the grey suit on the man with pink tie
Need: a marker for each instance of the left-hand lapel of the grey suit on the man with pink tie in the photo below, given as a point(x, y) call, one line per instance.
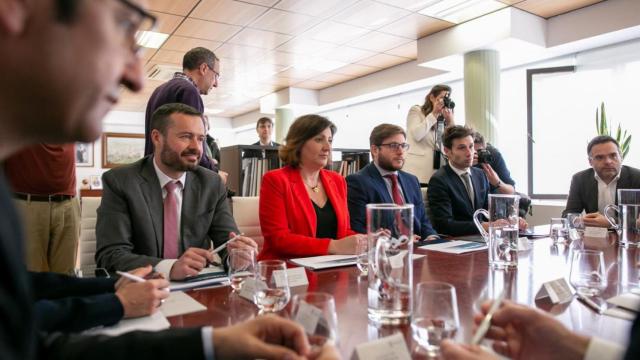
point(150, 187)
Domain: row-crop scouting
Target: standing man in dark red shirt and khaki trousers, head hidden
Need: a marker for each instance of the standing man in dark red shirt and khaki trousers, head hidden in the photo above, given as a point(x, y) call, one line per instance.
point(43, 179)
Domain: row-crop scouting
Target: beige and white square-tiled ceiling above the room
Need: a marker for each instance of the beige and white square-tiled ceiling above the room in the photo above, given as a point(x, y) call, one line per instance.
point(268, 45)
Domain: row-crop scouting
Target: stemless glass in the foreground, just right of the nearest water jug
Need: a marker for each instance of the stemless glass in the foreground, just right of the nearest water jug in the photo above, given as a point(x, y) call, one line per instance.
point(435, 316)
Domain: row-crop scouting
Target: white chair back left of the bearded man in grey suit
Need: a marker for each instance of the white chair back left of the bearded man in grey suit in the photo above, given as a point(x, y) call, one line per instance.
point(85, 259)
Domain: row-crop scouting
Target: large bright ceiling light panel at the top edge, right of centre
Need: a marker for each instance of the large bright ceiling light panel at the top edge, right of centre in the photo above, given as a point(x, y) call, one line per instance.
point(457, 11)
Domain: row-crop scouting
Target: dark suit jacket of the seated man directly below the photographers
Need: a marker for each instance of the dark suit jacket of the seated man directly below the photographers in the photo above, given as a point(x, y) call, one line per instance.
point(451, 209)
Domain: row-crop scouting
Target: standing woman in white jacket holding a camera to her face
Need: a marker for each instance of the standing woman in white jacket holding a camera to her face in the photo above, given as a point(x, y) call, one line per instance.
point(425, 125)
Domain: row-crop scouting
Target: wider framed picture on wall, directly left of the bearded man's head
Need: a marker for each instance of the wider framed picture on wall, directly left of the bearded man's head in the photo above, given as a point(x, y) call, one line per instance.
point(120, 149)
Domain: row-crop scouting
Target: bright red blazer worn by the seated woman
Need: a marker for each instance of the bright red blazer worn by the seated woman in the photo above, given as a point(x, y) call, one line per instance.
point(287, 217)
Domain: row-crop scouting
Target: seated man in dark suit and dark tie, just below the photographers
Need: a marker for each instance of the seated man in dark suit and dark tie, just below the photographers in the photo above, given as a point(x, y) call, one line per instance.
point(457, 189)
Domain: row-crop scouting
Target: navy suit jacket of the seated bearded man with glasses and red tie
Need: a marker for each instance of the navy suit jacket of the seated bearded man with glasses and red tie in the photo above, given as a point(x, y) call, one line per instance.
point(368, 187)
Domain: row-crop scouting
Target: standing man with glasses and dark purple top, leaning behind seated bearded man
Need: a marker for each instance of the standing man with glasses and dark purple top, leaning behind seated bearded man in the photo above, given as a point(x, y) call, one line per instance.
point(200, 74)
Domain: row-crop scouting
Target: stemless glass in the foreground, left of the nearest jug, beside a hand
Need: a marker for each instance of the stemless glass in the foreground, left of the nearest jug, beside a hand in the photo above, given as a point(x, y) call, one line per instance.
point(316, 312)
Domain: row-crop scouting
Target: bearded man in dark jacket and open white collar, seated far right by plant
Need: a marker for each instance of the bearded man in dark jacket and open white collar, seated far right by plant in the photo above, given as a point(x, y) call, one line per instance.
point(593, 189)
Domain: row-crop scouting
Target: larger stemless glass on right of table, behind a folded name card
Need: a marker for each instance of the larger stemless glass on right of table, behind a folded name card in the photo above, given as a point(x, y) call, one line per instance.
point(588, 275)
